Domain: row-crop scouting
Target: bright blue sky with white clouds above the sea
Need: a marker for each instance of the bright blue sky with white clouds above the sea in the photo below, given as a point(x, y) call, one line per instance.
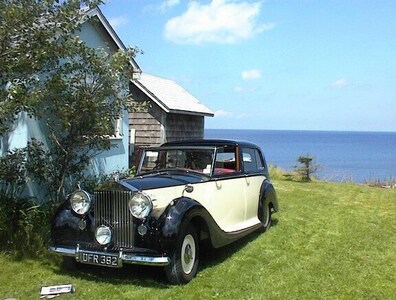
point(274, 64)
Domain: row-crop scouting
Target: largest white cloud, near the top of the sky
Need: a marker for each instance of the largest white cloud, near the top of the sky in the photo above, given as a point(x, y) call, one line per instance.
point(220, 21)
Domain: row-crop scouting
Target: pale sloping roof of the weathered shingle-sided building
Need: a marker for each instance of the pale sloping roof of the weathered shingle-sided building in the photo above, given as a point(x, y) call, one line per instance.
point(170, 96)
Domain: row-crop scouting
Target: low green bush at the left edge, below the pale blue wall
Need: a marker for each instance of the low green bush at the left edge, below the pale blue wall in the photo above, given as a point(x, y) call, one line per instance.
point(24, 222)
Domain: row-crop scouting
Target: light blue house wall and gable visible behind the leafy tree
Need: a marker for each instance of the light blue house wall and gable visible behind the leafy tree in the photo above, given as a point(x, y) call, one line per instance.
point(96, 33)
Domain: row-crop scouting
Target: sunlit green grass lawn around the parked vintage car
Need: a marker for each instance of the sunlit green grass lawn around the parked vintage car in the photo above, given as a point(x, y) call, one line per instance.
point(329, 241)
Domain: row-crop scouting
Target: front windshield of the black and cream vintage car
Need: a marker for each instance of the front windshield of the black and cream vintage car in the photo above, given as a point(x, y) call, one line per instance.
point(191, 159)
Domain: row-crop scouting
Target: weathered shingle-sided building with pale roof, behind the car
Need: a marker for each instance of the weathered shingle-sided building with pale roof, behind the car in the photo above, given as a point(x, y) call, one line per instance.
point(173, 113)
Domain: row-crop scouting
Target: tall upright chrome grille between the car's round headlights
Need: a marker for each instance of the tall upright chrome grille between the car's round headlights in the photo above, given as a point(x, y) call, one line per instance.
point(111, 209)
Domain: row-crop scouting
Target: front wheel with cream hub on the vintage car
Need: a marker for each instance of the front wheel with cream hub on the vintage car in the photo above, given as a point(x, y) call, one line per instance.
point(184, 261)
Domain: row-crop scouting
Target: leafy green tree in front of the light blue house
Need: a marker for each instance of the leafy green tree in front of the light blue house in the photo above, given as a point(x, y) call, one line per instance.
point(75, 92)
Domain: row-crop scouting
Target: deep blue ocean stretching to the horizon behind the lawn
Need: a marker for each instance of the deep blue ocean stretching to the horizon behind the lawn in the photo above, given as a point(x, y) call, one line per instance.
point(342, 156)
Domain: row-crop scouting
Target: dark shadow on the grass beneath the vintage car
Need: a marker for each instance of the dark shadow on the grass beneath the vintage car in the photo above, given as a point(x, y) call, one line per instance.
point(147, 276)
